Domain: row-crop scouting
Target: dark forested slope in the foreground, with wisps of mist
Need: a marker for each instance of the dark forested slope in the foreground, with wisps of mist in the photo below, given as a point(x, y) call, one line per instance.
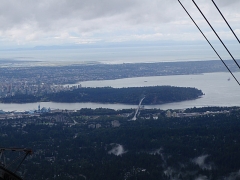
point(187, 148)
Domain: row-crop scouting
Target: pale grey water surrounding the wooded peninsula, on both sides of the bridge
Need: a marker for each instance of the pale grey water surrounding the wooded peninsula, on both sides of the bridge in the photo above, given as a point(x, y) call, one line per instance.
point(218, 90)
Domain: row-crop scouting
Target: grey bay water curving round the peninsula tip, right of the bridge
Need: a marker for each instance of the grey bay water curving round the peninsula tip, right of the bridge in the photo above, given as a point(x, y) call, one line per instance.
point(216, 87)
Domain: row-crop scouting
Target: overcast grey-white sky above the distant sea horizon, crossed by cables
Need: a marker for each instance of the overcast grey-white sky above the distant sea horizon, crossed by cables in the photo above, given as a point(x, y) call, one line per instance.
point(27, 23)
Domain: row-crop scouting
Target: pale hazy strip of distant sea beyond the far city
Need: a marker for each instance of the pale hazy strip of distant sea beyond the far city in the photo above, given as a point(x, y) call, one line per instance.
point(113, 55)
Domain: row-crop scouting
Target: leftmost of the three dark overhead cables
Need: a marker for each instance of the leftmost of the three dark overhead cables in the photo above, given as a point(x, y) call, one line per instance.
point(209, 43)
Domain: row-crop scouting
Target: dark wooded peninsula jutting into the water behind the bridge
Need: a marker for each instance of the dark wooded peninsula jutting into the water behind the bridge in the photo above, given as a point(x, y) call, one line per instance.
point(131, 95)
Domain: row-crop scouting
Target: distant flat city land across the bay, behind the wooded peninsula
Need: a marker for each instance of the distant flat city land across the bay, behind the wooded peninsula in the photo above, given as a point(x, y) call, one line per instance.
point(49, 79)
